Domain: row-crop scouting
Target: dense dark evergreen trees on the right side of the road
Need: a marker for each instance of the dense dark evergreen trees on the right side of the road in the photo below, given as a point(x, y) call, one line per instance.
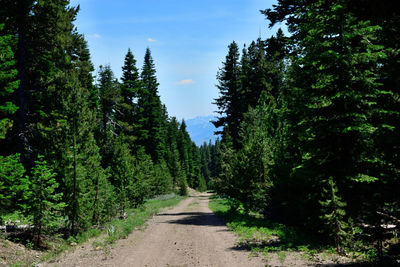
point(310, 121)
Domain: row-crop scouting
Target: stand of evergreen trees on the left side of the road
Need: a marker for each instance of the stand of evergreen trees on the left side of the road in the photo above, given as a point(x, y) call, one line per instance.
point(78, 148)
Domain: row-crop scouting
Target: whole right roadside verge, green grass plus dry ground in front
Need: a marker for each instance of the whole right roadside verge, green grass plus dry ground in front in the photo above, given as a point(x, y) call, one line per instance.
point(283, 245)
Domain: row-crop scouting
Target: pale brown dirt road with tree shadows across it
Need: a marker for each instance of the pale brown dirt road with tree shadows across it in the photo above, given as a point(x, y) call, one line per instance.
point(186, 235)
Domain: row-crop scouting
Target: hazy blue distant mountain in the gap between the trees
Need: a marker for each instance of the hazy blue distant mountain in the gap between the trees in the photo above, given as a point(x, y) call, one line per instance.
point(201, 129)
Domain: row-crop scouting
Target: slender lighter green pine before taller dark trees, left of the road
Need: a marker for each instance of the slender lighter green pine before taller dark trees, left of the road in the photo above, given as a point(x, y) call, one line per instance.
point(78, 158)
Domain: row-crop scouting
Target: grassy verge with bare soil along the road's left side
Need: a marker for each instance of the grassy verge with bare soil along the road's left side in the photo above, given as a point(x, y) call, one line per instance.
point(21, 251)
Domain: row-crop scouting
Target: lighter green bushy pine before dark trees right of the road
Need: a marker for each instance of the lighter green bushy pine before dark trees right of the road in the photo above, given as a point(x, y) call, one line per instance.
point(254, 165)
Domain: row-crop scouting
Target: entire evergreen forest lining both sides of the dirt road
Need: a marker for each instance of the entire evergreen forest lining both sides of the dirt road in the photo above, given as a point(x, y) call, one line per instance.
point(308, 123)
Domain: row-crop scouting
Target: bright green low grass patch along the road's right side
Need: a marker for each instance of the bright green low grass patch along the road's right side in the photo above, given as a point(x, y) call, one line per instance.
point(261, 236)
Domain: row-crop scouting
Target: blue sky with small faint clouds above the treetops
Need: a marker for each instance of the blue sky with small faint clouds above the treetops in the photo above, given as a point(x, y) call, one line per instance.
point(188, 40)
